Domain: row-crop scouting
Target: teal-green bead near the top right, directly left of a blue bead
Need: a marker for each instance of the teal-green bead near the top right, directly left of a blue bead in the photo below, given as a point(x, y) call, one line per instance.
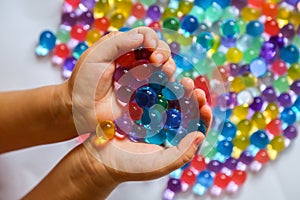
point(230, 29)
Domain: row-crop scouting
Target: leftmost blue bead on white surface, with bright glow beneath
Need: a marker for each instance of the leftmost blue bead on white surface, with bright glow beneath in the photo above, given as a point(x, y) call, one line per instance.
point(46, 43)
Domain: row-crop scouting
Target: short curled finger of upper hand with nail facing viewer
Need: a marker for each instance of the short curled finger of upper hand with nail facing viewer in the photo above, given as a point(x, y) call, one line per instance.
point(161, 54)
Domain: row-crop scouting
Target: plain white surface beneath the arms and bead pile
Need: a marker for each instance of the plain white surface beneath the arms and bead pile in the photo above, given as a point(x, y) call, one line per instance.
point(21, 23)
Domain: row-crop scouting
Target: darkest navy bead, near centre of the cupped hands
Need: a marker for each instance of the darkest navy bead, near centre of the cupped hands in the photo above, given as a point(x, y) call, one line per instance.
point(145, 97)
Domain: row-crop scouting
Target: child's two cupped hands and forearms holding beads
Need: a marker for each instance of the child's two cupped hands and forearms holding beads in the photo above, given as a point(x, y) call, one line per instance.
point(46, 115)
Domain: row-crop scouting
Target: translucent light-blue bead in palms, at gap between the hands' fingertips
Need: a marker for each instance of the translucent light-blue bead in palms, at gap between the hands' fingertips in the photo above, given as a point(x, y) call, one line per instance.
point(173, 91)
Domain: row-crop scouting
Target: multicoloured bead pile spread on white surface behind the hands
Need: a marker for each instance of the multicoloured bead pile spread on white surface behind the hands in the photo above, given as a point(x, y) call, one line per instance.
point(243, 54)
